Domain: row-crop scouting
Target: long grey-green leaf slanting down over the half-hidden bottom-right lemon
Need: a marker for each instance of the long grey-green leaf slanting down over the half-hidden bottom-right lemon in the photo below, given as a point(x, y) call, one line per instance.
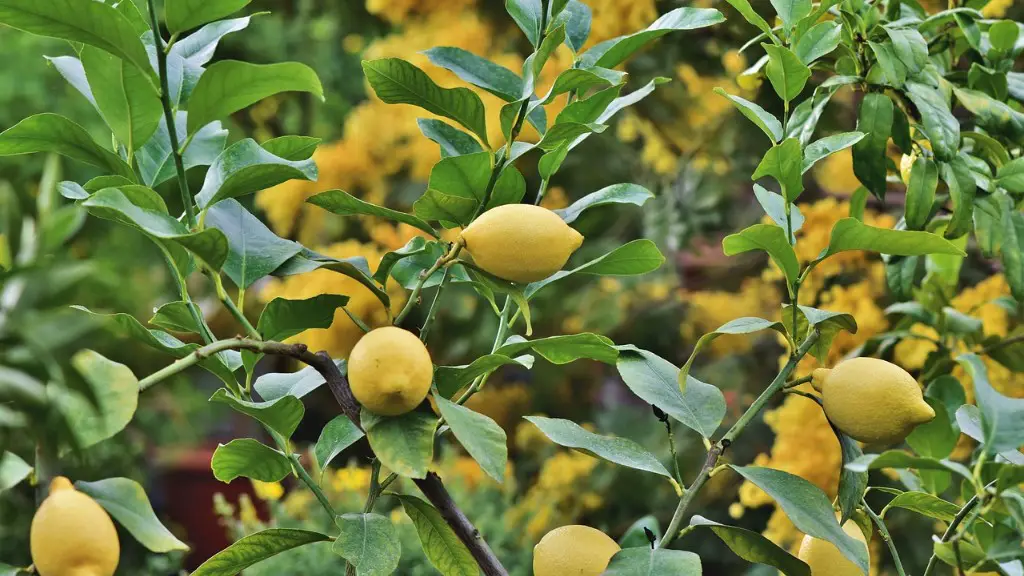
point(807, 508)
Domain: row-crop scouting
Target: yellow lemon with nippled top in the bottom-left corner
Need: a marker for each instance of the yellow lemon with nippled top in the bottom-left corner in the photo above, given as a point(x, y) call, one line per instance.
point(72, 536)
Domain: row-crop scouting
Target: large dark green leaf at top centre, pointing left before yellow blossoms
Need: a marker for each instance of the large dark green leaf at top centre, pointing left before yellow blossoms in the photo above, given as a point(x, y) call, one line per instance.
point(397, 81)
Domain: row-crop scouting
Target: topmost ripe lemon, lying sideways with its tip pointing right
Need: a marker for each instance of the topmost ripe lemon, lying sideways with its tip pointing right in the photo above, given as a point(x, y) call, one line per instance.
point(521, 242)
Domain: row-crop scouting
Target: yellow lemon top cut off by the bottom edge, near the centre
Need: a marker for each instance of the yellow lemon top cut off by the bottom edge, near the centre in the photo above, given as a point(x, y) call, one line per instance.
point(574, 551)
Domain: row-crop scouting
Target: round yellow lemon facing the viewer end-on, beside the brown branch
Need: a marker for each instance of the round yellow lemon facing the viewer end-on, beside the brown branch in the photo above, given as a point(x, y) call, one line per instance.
point(390, 372)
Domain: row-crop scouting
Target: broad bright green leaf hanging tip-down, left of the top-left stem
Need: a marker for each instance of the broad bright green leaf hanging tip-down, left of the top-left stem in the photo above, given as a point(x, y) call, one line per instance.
point(125, 97)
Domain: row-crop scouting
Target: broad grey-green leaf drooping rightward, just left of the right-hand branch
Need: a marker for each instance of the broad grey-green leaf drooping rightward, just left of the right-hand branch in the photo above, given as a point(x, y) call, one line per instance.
point(699, 406)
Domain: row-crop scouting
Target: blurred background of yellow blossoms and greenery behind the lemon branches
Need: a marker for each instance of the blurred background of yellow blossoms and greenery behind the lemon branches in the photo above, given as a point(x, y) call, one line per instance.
point(686, 144)
